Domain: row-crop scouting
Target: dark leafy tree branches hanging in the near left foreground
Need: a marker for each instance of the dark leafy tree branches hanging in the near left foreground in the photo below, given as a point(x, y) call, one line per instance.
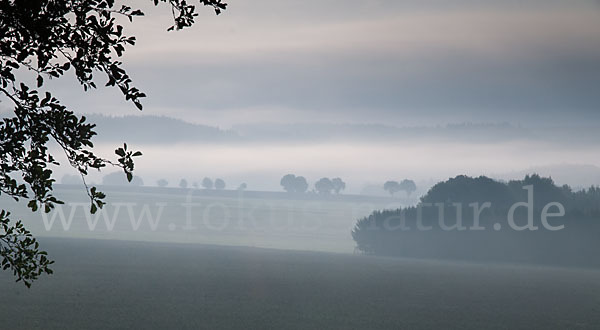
point(43, 39)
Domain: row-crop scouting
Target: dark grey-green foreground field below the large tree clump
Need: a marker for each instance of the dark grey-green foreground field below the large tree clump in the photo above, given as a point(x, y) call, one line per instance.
point(114, 284)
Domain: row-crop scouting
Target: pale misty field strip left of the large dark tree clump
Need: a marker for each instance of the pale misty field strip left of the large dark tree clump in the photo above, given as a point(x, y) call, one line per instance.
point(260, 219)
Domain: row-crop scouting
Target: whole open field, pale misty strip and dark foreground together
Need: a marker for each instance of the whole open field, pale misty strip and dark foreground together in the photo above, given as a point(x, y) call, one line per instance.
point(111, 274)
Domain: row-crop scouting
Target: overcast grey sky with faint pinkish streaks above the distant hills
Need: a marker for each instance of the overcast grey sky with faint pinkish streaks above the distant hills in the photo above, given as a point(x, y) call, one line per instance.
point(399, 62)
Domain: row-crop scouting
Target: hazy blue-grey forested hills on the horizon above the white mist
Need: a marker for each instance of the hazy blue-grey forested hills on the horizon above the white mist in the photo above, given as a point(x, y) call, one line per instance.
point(162, 129)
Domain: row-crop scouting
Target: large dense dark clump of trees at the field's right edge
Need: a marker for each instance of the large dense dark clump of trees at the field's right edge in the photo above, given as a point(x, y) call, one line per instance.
point(469, 218)
